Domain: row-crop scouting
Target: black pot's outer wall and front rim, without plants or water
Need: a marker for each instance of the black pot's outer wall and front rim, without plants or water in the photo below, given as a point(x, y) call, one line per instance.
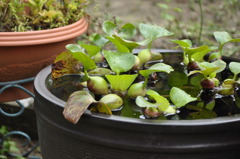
point(112, 137)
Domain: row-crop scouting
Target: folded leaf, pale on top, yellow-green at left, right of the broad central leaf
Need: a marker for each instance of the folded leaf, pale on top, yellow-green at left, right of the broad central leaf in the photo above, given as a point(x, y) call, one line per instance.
point(159, 67)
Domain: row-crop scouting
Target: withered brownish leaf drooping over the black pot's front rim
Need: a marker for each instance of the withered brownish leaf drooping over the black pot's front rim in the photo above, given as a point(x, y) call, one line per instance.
point(77, 104)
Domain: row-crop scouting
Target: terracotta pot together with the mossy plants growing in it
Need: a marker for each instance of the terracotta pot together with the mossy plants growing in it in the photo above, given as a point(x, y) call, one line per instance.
point(33, 32)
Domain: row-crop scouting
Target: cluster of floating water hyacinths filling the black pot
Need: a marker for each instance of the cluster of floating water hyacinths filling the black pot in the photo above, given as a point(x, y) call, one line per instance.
point(120, 81)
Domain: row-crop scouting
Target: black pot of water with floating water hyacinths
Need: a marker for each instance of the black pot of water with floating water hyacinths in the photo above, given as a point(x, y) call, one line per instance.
point(131, 103)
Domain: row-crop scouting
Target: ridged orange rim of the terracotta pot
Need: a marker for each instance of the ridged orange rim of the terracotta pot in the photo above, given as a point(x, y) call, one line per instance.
point(44, 36)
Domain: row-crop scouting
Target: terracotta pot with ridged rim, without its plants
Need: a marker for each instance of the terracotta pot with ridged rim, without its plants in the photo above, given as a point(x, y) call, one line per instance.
point(24, 54)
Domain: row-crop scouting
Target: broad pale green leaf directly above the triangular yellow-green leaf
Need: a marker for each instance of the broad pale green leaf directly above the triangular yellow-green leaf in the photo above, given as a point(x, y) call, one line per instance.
point(119, 61)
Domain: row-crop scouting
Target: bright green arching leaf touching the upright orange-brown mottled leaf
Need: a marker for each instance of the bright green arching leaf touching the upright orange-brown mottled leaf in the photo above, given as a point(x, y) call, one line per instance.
point(86, 60)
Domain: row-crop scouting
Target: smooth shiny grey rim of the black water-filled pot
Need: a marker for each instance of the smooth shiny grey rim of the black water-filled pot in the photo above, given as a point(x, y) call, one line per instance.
point(40, 87)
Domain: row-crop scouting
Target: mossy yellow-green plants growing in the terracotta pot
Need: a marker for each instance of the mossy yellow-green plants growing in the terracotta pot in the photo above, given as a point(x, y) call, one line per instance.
point(23, 15)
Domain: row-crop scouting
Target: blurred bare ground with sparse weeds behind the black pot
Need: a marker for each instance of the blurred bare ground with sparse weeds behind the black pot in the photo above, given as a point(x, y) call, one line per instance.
point(183, 17)
